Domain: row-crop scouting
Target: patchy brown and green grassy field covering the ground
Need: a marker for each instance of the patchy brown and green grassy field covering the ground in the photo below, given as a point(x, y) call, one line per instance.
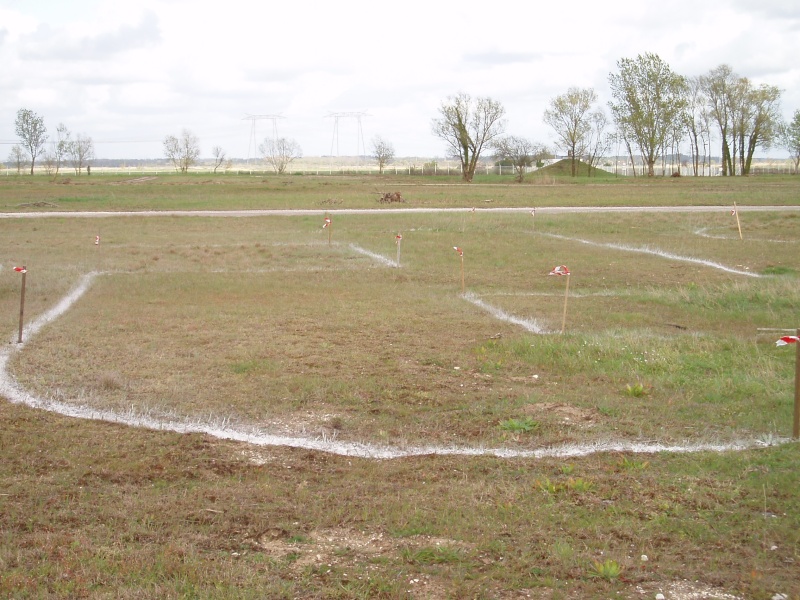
point(259, 322)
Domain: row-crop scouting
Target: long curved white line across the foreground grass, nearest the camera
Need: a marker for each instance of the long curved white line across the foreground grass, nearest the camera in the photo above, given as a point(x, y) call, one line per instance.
point(14, 392)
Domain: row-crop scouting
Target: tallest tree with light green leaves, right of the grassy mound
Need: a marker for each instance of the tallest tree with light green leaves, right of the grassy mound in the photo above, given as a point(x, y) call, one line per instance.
point(648, 100)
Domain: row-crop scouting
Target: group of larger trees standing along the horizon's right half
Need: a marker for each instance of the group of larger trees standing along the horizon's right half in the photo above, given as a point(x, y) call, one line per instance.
point(655, 112)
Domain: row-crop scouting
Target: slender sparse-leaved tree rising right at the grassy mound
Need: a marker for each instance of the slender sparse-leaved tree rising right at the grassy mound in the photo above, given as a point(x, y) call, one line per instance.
point(571, 117)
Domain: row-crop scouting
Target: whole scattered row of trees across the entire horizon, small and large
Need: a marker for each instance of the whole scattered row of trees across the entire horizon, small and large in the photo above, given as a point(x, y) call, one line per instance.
point(654, 111)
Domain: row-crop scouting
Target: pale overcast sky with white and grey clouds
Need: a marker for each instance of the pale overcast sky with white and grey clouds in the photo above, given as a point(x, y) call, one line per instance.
point(130, 73)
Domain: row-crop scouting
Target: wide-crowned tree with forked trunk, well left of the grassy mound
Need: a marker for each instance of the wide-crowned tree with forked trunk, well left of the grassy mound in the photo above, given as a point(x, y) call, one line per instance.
point(467, 126)
